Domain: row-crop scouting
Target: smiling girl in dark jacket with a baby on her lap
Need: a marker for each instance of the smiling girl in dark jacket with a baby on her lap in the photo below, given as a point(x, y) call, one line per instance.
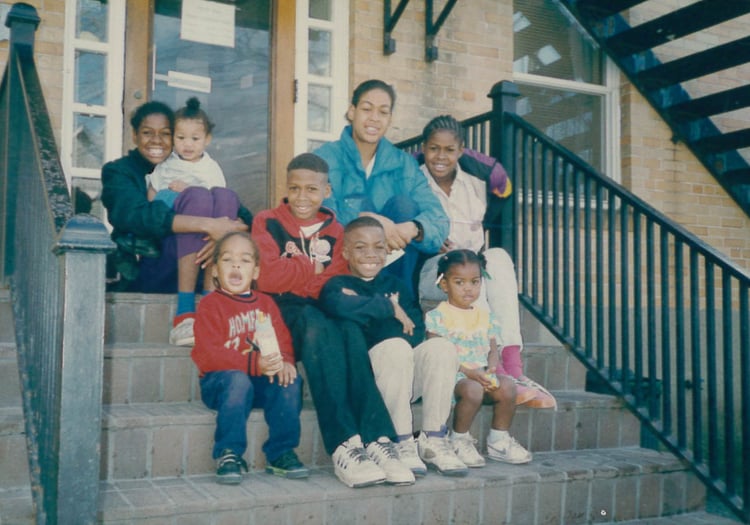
point(148, 249)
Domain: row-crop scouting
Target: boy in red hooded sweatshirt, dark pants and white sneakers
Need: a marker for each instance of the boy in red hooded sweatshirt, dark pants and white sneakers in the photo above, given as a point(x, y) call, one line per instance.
point(301, 246)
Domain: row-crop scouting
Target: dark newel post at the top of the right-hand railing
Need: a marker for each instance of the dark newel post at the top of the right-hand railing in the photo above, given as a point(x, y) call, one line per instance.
point(504, 95)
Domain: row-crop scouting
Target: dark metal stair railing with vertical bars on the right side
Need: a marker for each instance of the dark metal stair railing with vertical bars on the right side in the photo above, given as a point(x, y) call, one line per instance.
point(659, 317)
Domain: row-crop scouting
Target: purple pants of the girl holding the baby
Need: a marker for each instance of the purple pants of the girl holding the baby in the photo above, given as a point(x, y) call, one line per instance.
point(159, 275)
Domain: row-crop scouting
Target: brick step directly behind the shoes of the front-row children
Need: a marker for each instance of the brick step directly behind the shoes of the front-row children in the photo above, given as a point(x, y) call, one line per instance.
point(172, 439)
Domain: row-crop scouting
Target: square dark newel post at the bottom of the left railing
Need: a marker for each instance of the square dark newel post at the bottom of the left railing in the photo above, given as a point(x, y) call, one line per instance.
point(81, 249)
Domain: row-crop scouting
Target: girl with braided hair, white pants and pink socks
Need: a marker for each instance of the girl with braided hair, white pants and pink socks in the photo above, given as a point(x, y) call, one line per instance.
point(465, 182)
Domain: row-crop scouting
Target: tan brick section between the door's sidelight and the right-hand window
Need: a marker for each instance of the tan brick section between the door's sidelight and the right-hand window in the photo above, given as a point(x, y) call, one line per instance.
point(474, 47)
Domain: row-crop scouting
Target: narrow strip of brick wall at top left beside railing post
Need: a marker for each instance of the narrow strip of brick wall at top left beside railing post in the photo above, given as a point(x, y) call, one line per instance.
point(48, 54)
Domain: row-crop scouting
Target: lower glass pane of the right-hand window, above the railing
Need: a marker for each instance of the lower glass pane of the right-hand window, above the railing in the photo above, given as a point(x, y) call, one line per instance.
point(572, 119)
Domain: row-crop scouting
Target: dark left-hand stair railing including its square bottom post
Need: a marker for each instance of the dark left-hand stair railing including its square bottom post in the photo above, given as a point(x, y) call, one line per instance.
point(53, 262)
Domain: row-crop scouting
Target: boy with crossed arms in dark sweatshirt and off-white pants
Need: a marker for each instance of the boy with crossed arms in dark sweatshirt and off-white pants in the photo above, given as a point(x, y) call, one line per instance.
point(406, 366)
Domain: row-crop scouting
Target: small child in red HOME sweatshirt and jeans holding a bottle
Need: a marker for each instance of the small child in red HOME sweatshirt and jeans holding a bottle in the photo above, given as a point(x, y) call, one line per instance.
point(244, 355)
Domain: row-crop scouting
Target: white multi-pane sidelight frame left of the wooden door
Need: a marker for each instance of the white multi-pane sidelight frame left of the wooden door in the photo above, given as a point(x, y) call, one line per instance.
point(114, 49)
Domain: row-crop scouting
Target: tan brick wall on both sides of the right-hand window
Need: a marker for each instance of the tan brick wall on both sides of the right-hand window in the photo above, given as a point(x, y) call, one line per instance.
point(476, 50)
